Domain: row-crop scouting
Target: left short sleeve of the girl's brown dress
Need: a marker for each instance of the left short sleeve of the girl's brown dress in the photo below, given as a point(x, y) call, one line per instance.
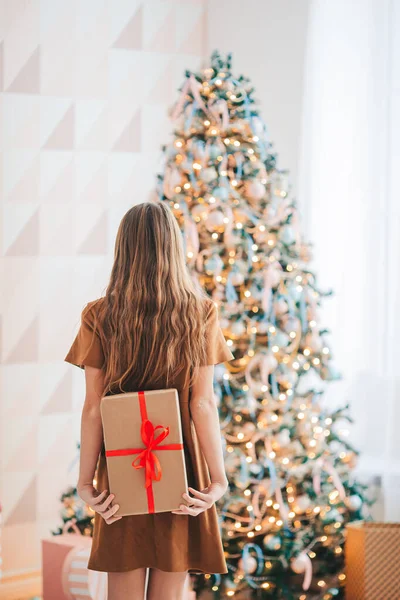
point(86, 348)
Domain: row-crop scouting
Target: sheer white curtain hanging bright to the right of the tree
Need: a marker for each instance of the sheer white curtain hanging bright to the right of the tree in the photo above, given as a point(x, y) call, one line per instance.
point(350, 158)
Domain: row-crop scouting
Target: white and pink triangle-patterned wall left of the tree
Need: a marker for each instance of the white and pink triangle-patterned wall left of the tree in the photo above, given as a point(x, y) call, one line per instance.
point(84, 92)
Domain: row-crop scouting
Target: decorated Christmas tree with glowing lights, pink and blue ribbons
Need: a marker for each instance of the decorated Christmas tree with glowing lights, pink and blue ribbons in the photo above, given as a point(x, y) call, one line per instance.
point(289, 464)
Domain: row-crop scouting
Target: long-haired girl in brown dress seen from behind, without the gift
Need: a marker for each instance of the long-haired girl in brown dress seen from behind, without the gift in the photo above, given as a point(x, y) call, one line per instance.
point(153, 329)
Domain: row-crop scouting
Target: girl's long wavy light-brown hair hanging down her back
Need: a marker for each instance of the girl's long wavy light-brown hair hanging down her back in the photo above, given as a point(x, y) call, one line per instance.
point(153, 313)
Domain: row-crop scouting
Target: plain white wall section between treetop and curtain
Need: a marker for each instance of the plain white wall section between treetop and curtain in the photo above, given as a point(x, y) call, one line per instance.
point(268, 41)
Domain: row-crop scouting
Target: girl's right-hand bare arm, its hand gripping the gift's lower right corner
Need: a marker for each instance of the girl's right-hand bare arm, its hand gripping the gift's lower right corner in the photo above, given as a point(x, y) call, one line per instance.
point(205, 417)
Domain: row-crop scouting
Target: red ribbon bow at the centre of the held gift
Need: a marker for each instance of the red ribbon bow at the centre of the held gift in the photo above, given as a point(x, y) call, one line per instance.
point(147, 459)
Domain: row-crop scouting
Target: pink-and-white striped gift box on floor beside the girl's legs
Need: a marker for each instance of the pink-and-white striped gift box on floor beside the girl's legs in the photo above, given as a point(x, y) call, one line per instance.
point(79, 582)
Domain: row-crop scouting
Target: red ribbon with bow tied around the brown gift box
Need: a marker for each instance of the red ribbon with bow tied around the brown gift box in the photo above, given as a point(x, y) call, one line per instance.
point(146, 458)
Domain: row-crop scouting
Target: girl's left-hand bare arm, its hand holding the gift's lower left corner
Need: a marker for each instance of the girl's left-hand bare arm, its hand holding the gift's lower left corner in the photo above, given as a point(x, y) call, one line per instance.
point(91, 442)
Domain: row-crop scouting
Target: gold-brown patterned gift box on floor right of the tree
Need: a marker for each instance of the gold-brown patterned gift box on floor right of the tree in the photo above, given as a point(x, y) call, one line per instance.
point(372, 555)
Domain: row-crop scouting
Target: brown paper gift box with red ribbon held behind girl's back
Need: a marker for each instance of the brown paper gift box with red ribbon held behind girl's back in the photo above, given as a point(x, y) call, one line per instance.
point(144, 450)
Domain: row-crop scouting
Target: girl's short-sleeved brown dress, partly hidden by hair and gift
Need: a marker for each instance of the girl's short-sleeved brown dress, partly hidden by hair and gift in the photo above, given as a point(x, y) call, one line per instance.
point(164, 541)
